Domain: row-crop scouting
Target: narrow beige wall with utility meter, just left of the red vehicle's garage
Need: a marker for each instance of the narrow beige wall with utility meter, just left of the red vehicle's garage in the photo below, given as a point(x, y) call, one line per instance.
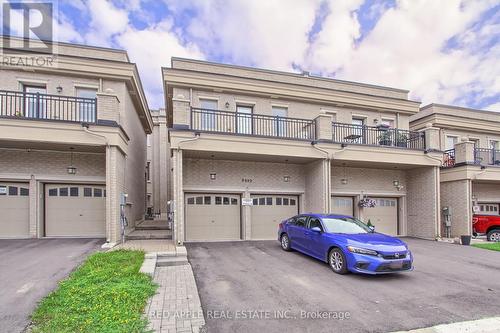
point(457, 195)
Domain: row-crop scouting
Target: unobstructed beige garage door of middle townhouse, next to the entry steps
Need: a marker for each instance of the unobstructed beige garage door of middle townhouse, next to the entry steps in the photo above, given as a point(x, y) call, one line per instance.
point(211, 217)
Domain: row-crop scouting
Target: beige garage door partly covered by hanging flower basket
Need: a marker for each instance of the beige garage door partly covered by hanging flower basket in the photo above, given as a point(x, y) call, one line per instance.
point(384, 216)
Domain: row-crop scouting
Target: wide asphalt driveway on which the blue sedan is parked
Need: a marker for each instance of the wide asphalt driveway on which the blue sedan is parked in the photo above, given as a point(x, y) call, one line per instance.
point(246, 286)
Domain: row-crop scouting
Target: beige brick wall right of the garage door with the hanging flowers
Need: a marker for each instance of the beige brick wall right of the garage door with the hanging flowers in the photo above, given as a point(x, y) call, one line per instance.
point(422, 202)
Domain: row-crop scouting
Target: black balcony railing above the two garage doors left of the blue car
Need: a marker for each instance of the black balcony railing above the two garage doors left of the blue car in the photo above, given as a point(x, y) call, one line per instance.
point(252, 124)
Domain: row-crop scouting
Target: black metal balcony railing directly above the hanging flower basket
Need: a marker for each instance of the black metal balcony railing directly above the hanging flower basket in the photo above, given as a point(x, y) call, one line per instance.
point(377, 136)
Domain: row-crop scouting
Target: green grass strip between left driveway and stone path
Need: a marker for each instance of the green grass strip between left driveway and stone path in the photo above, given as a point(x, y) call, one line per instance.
point(105, 294)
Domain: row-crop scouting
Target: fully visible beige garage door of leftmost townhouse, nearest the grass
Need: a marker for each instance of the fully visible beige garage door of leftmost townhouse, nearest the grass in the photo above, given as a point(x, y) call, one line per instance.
point(75, 210)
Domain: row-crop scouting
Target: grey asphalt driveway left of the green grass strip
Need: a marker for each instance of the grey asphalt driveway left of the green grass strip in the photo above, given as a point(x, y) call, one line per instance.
point(30, 269)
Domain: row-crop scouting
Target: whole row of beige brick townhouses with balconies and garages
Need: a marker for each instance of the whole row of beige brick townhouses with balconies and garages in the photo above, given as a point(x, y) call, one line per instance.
point(234, 151)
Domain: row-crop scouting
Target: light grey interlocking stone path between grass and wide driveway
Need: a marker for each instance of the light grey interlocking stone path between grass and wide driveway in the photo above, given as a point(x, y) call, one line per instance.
point(176, 307)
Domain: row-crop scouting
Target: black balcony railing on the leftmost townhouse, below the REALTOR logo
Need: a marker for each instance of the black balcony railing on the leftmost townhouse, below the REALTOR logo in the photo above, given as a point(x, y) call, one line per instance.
point(18, 104)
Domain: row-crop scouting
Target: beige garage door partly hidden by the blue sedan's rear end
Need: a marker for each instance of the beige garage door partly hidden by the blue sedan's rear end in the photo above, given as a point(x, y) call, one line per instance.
point(268, 211)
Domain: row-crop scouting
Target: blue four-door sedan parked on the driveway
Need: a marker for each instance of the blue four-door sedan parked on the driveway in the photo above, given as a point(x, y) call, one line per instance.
point(345, 243)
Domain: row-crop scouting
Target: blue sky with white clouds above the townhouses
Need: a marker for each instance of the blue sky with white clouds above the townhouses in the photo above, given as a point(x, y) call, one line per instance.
point(443, 51)
